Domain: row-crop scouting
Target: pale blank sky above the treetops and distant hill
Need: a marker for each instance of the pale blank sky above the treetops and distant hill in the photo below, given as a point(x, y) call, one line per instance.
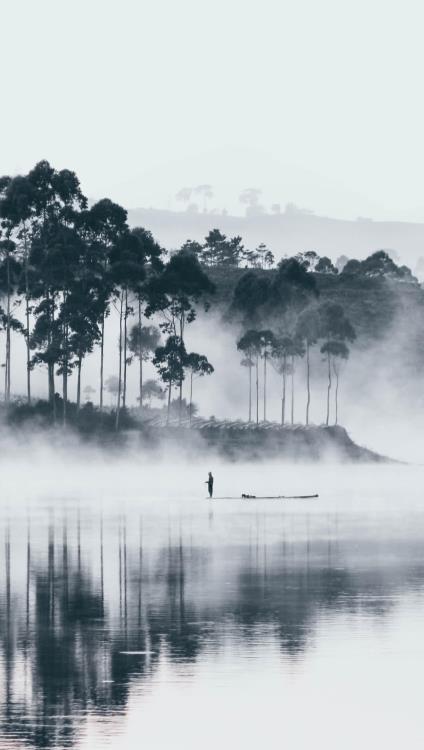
point(316, 102)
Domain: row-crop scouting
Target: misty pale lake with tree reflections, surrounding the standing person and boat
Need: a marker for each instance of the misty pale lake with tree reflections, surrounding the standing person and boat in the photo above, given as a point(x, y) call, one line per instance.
point(134, 613)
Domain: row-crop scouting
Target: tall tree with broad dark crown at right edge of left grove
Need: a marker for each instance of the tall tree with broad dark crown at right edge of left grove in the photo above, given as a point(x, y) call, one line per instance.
point(175, 293)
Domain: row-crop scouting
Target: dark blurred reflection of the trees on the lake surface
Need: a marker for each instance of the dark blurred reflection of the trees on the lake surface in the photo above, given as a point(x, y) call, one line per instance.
point(91, 604)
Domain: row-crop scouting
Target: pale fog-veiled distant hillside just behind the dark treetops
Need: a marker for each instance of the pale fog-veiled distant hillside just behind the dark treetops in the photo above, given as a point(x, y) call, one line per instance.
point(289, 232)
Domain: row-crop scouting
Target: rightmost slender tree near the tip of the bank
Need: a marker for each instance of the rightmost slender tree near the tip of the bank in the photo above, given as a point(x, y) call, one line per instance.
point(336, 330)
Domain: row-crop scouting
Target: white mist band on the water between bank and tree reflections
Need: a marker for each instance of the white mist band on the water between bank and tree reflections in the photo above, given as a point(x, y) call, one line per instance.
point(40, 471)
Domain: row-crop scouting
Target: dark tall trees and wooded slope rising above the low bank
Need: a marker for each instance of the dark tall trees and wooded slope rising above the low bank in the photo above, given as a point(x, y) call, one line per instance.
point(65, 265)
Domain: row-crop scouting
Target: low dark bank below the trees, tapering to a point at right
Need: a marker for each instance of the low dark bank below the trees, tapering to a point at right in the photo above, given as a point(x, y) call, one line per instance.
point(231, 440)
